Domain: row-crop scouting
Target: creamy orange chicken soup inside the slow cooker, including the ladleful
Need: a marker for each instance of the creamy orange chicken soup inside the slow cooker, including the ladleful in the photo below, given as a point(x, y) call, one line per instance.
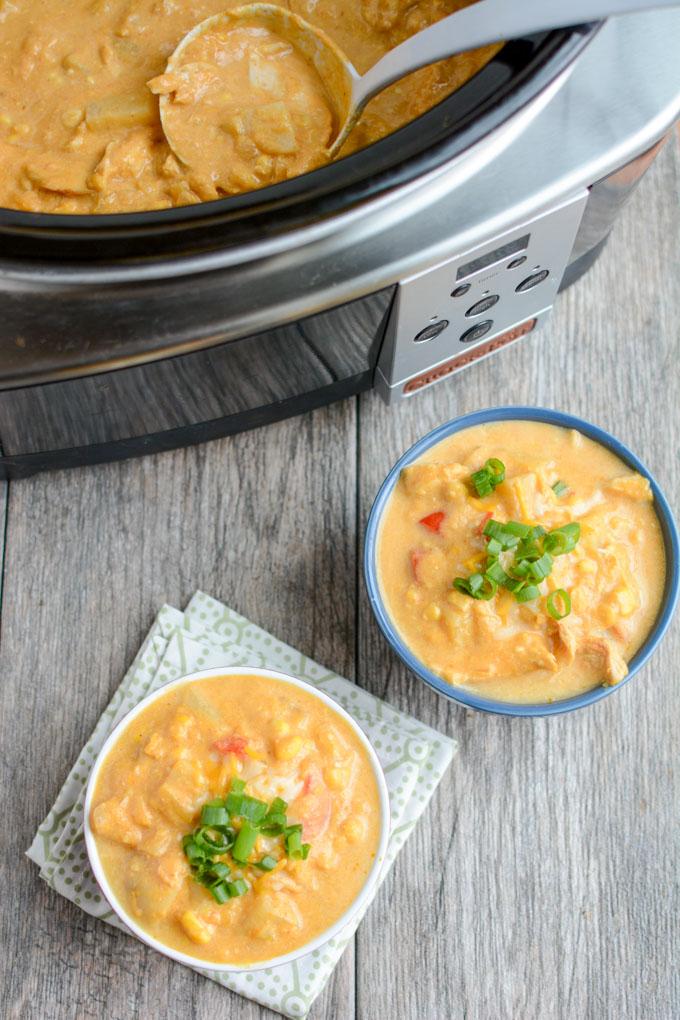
point(80, 81)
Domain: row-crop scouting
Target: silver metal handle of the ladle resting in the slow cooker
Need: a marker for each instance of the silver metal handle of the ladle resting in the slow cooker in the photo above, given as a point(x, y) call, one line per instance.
point(484, 23)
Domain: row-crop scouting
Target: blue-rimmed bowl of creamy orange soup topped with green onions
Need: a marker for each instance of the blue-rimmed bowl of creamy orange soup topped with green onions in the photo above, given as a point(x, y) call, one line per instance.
point(522, 562)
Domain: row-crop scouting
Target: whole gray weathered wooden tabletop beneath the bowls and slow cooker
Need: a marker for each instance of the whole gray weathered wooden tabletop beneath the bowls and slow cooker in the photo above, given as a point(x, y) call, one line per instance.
point(544, 882)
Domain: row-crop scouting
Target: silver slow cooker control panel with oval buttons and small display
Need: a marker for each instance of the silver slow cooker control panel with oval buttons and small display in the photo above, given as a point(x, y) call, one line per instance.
point(474, 304)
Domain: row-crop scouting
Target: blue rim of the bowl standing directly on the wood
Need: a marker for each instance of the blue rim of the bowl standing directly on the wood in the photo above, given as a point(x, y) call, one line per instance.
point(550, 417)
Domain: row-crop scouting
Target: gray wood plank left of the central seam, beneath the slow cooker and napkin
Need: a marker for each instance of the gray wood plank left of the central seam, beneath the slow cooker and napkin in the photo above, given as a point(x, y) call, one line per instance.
point(92, 555)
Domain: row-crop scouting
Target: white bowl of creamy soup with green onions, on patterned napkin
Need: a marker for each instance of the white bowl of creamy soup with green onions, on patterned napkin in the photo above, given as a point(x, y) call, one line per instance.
point(237, 820)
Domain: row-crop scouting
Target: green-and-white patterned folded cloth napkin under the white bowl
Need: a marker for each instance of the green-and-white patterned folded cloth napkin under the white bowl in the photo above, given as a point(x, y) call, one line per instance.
point(210, 635)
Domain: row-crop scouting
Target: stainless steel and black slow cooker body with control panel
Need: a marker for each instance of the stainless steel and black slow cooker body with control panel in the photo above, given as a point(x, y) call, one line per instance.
point(396, 269)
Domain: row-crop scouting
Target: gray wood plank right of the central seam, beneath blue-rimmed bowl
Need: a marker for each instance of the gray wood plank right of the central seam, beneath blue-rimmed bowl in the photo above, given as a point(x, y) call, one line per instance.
point(544, 882)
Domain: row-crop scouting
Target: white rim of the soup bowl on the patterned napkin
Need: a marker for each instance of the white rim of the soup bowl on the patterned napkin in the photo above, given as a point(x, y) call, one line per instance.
point(353, 910)
